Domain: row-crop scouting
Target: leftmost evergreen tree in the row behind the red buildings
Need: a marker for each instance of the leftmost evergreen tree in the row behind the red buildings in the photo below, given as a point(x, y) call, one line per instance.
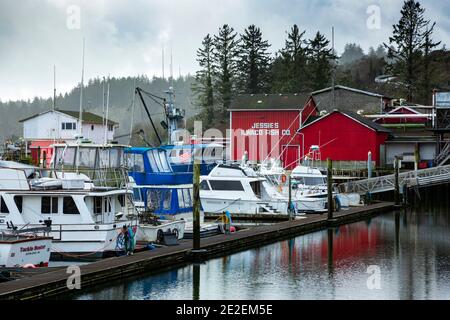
point(203, 85)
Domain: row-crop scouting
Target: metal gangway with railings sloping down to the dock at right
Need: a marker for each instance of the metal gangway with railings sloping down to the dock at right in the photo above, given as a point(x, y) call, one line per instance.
point(419, 178)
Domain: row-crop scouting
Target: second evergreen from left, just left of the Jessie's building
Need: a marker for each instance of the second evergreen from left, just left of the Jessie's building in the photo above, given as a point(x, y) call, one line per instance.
point(225, 57)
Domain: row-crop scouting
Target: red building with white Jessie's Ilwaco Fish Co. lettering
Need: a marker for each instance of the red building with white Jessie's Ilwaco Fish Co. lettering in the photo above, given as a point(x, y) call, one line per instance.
point(266, 125)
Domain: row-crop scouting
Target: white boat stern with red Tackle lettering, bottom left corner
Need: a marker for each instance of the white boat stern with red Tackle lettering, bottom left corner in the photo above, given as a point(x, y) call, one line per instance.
point(24, 249)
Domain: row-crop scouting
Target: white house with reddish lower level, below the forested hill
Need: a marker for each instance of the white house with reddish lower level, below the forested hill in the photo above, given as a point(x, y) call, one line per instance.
point(43, 129)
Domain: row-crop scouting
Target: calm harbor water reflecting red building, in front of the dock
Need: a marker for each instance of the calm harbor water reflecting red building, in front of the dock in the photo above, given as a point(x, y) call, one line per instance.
point(411, 249)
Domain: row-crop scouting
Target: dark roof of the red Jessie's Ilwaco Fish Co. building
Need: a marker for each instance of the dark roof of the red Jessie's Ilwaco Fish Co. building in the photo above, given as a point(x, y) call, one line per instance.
point(294, 101)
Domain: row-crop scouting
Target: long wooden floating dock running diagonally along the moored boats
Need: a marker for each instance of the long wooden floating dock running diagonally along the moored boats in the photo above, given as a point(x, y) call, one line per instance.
point(48, 284)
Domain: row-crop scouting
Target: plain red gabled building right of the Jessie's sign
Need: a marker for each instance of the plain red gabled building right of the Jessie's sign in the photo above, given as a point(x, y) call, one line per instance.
point(346, 137)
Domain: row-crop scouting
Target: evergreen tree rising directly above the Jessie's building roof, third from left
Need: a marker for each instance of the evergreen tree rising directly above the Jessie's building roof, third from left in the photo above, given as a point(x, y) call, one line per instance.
point(254, 62)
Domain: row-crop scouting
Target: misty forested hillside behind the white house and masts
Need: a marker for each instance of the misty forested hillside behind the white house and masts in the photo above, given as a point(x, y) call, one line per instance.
point(121, 95)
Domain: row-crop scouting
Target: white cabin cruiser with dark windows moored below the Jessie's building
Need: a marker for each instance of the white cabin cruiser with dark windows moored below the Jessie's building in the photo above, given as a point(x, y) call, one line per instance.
point(239, 190)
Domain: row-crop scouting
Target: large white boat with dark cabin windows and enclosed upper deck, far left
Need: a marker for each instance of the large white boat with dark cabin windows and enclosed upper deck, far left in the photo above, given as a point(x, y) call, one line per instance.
point(83, 197)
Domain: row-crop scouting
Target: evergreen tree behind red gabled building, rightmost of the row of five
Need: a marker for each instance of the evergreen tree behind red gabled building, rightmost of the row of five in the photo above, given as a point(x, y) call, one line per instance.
point(321, 60)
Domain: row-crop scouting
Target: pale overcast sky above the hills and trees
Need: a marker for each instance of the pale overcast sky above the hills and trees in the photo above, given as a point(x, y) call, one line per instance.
point(125, 38)
